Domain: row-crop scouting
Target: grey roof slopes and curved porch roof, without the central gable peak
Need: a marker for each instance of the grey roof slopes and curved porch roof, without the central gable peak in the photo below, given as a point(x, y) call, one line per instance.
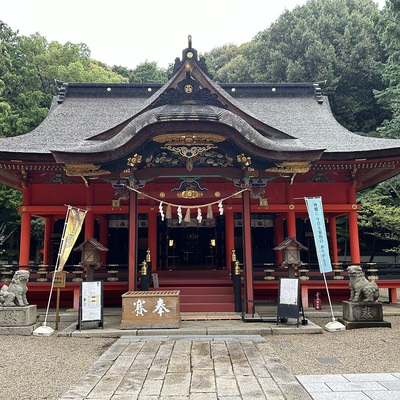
point(298, 119)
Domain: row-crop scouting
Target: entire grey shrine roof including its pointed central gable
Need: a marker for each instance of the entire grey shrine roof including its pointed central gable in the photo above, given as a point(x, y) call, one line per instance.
point(276, 120)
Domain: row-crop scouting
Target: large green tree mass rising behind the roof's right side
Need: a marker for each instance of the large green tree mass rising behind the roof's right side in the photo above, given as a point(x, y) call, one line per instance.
point(332, 40)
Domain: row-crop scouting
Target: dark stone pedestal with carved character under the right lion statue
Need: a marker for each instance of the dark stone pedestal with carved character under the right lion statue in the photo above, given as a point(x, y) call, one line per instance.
point(363, 315)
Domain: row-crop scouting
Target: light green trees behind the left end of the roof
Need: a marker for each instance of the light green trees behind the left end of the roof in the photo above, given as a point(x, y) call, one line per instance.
point(28, 69)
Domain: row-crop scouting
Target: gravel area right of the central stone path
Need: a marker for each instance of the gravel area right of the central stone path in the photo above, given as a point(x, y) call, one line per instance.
point(369, 350)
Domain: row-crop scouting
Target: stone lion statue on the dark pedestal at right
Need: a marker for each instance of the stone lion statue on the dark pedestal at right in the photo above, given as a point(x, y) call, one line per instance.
point(361, 289)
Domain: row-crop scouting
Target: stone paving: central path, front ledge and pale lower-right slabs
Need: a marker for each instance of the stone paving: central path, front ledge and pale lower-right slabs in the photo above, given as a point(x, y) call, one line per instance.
point(199, 361)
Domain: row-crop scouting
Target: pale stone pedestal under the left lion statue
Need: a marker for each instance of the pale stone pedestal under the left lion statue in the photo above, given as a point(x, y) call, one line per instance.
point(18, 320)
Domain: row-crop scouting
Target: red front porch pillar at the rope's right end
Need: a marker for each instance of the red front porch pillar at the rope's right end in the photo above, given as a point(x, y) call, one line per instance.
point(247, 246)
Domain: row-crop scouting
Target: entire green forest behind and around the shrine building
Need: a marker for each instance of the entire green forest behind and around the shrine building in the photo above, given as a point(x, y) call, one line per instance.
point(351, 47)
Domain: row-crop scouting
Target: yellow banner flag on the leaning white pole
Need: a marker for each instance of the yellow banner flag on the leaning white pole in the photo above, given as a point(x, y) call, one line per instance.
point(73, 226)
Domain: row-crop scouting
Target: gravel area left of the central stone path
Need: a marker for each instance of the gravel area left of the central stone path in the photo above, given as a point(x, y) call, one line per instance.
point(45, 367)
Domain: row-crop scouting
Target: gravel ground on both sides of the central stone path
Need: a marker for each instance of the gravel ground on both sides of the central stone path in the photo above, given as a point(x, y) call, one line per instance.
point(46, 367)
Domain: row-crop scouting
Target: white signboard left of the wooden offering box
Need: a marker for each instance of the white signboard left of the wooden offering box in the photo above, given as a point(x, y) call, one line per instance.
point(91, 295)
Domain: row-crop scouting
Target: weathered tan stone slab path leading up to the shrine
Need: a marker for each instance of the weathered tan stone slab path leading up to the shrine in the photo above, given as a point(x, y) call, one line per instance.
point(188, 368)
